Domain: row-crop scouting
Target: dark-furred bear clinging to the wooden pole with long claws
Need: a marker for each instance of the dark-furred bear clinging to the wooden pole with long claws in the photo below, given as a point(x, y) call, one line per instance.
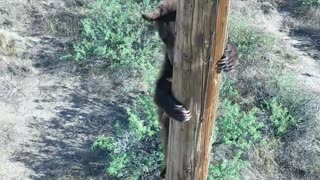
point(164, 17)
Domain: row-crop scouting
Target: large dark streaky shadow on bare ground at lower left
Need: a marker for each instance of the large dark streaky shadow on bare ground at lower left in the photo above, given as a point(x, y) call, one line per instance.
point(63, 148)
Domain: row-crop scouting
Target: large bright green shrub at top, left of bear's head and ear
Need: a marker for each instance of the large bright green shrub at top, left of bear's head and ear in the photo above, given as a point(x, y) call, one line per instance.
point(115, 32)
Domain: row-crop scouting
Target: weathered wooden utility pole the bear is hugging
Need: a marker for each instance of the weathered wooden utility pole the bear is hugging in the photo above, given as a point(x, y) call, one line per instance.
point(201, 35)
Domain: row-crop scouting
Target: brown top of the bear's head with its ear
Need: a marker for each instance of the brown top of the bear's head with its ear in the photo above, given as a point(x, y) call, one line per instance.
point(166, 11)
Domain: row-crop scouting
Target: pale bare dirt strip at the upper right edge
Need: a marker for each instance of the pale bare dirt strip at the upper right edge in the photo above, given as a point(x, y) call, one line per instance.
point(304, 46)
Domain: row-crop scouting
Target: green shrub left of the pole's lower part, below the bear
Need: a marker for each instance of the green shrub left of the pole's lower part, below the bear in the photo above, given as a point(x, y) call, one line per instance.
point(134, 153)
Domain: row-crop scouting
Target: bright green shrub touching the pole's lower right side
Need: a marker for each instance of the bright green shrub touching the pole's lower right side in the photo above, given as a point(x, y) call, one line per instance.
point(237, 131)
